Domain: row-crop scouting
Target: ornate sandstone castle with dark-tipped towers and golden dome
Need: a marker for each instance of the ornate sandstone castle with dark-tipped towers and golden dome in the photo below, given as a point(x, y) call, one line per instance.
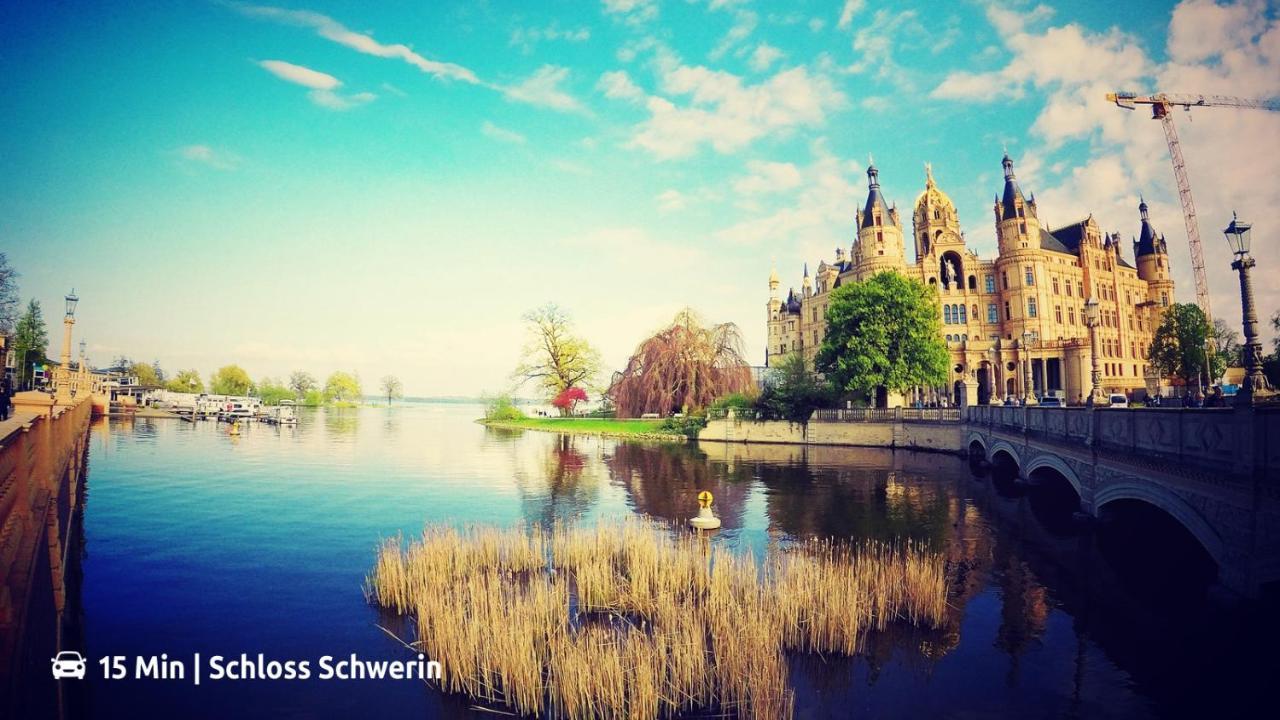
point(1025, 308)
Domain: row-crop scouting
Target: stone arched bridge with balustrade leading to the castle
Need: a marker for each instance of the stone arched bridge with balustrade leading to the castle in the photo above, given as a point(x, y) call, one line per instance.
point(1215, 471)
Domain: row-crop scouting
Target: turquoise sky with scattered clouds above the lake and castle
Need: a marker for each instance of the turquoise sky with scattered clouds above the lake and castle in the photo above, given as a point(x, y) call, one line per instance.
point(387, 188)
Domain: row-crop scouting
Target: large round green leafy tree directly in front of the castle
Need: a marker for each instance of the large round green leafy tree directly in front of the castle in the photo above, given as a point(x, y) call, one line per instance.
point(884, 332)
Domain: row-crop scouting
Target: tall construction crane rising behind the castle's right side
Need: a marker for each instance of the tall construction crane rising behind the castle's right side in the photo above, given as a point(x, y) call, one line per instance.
point(1162, 104)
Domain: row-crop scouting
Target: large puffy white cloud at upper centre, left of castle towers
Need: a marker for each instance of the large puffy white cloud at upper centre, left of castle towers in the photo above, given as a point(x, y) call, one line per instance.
point(728, 115)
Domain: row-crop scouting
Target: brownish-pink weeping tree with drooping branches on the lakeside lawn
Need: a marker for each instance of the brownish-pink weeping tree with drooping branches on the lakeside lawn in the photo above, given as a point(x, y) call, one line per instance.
point(684, 367)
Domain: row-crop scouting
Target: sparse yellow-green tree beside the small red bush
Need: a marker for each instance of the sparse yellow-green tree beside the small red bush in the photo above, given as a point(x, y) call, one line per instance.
point(554, 357)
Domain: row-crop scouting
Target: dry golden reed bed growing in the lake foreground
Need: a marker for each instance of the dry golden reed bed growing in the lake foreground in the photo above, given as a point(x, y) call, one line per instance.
point(630, 621)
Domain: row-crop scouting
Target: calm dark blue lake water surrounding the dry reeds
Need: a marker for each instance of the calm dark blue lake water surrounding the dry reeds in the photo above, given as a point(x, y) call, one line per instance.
point(202, 543)
